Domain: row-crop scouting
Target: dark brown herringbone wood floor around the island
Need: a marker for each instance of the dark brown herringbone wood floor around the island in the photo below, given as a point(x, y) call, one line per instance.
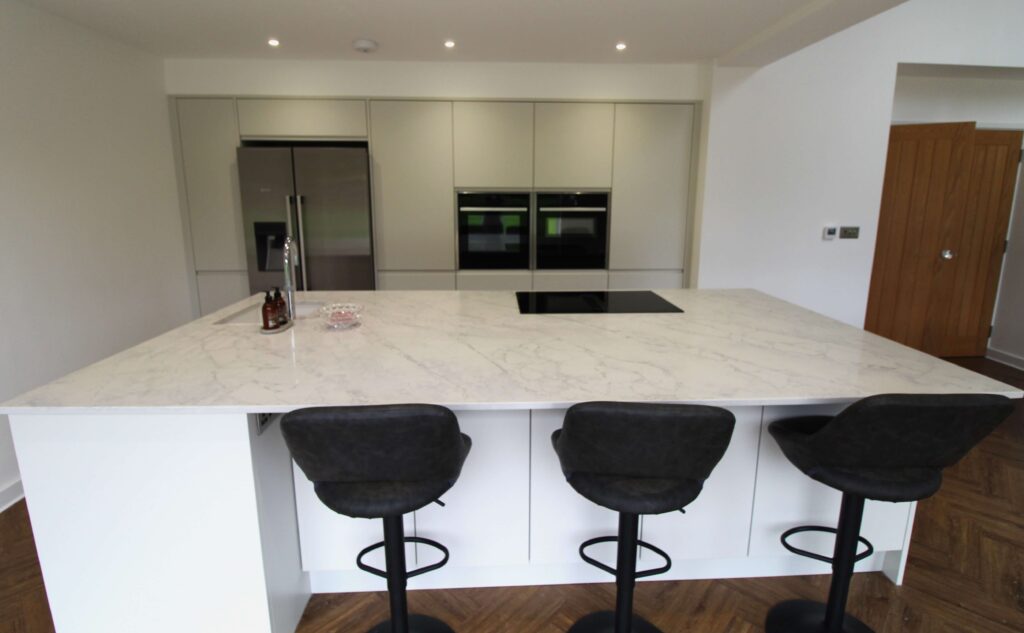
point(966, 572)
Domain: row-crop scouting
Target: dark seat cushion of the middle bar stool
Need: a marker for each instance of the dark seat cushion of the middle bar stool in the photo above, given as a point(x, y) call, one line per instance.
point(635, 495)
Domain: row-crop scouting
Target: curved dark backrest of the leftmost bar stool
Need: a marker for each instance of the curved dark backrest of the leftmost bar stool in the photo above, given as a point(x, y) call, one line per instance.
point(394, 443)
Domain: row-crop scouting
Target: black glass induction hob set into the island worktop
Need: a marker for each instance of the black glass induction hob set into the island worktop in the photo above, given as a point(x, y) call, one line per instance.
point(621, 303)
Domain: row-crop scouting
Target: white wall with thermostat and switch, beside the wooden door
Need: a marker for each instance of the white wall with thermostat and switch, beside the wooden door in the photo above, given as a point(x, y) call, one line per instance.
point(802, 143)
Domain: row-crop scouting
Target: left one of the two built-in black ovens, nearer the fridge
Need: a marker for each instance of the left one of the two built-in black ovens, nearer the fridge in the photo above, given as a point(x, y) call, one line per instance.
point(494, 230)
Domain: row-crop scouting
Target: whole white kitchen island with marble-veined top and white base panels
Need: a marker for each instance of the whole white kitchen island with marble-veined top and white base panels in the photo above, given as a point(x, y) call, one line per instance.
point(163, 497)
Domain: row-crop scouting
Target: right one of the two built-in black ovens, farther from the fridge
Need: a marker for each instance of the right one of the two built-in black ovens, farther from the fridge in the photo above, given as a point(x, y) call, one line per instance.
point(573, 230)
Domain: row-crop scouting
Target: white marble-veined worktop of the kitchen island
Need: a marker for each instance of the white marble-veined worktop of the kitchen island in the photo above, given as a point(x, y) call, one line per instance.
point(476, 351)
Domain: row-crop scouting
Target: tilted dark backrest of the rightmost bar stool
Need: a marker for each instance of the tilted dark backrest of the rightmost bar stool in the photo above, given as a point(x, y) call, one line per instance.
point(909, 431)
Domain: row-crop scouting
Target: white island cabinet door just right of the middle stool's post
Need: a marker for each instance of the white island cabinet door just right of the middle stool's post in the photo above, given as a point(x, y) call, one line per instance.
point(717, 525)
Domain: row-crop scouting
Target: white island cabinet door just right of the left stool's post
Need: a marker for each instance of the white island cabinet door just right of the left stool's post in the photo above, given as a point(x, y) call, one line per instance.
point(486, 519)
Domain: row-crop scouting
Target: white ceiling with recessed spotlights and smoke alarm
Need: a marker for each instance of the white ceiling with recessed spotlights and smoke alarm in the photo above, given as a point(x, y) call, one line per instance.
point(571, 31)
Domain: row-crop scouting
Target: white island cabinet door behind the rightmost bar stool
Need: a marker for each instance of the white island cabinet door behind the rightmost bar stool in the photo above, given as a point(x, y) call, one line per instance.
point(788, 498)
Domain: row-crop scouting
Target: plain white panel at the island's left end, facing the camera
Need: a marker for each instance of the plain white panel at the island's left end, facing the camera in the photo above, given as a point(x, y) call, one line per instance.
point(146, 523)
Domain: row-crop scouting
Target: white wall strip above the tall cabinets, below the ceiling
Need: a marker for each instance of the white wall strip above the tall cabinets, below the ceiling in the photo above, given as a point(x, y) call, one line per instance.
point(456, 80)
